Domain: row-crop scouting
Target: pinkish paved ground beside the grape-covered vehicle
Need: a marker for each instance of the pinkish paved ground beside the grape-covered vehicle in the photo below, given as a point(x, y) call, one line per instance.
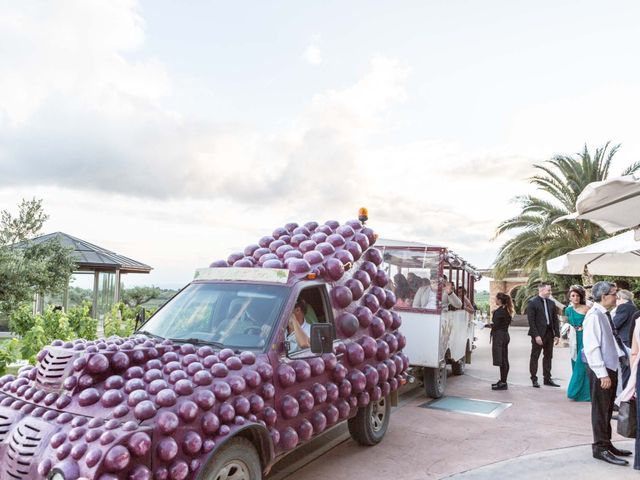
point(542, 434)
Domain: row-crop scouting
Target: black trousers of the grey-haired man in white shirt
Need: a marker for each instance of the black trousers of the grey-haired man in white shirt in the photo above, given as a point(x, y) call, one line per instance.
point(602, 408)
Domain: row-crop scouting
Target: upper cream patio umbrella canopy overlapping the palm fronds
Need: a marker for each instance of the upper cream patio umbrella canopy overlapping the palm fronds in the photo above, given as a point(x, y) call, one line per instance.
point(612, 204)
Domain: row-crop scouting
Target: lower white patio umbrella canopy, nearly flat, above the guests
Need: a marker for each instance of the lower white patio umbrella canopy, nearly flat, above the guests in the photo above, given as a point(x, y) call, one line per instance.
point(619, 256)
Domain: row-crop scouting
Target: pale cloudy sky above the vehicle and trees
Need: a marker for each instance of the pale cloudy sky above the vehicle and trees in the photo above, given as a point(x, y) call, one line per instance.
point(175, 132)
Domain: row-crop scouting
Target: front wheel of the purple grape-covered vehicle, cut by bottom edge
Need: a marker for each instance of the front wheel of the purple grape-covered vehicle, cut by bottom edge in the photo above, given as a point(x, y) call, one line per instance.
point(237, 460)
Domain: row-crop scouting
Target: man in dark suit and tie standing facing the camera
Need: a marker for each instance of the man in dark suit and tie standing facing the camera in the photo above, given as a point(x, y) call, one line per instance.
point(544, 330)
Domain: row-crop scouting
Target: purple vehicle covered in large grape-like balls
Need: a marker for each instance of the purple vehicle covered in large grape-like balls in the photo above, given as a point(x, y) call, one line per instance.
point(215, 385)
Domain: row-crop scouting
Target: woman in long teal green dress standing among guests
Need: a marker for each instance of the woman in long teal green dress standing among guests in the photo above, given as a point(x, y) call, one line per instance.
point(578, 389)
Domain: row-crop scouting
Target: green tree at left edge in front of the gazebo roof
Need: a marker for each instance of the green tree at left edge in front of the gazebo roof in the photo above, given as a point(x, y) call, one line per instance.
point(27, 267)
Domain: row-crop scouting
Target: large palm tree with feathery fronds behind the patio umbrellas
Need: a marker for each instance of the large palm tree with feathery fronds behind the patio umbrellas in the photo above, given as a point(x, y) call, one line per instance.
point(560, 180)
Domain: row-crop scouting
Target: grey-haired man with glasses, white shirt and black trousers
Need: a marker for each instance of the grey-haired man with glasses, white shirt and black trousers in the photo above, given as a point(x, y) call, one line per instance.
point(603, 349)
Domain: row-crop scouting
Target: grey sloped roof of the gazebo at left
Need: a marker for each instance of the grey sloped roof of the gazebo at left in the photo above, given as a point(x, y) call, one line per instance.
point(92, 257)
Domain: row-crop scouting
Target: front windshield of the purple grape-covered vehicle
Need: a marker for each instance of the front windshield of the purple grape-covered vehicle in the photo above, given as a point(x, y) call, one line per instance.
point(227, 314)
